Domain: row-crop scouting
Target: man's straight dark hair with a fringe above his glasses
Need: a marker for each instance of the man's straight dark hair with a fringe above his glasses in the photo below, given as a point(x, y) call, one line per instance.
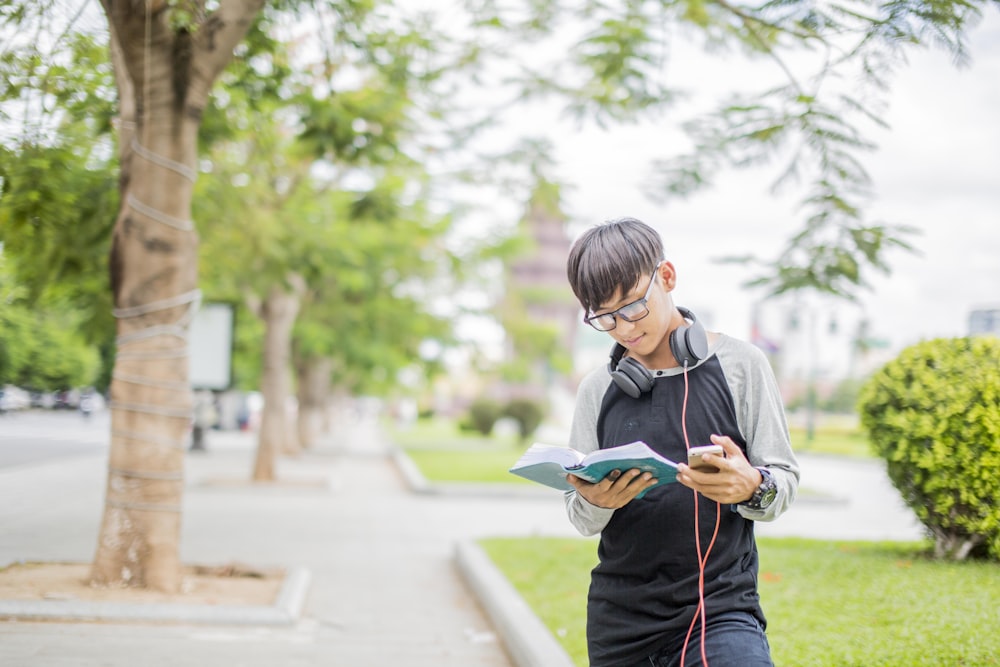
point(610, 259)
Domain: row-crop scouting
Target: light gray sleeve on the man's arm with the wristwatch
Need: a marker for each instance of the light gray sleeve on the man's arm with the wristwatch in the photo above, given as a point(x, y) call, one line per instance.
point(761, 417)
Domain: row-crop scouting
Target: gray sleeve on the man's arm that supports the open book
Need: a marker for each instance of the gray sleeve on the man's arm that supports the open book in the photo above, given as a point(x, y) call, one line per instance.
point(587, 518)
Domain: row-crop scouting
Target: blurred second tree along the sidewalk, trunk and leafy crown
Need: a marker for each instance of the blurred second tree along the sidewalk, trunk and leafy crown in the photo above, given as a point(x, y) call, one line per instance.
point(333, 228)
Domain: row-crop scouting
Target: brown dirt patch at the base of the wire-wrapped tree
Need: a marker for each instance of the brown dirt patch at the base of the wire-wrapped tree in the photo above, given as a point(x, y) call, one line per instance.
point(209, 585)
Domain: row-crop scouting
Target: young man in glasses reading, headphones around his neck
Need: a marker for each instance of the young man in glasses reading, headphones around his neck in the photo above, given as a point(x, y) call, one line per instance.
point(677, 571)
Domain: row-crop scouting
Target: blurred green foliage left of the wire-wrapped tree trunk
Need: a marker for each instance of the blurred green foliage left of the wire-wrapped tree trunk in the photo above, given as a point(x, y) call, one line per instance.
point(57, 198)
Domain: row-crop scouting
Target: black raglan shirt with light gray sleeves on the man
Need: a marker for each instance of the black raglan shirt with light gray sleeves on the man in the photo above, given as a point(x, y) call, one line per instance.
point(644, 590)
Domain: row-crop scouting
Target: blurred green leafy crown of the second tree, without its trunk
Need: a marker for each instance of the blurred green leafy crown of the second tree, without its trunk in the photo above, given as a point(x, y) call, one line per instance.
point(369, 250)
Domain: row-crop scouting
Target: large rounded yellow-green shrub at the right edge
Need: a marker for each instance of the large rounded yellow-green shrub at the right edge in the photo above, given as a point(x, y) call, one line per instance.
point(933, 414)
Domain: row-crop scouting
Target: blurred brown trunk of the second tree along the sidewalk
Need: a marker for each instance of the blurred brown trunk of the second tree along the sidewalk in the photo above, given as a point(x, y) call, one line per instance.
point(278, 311)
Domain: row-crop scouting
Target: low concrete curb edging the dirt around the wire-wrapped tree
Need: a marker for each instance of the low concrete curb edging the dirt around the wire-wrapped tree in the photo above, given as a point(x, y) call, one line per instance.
point(285, 611)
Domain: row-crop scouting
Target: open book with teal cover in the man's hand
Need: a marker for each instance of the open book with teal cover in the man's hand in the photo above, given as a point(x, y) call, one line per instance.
point(548, 464)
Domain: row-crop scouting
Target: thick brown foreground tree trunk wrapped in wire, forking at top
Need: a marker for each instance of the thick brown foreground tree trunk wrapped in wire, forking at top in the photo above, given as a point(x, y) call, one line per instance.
point(163, 81)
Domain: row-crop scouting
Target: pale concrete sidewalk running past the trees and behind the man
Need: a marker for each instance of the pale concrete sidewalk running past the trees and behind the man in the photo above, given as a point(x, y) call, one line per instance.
point(384, 586)
